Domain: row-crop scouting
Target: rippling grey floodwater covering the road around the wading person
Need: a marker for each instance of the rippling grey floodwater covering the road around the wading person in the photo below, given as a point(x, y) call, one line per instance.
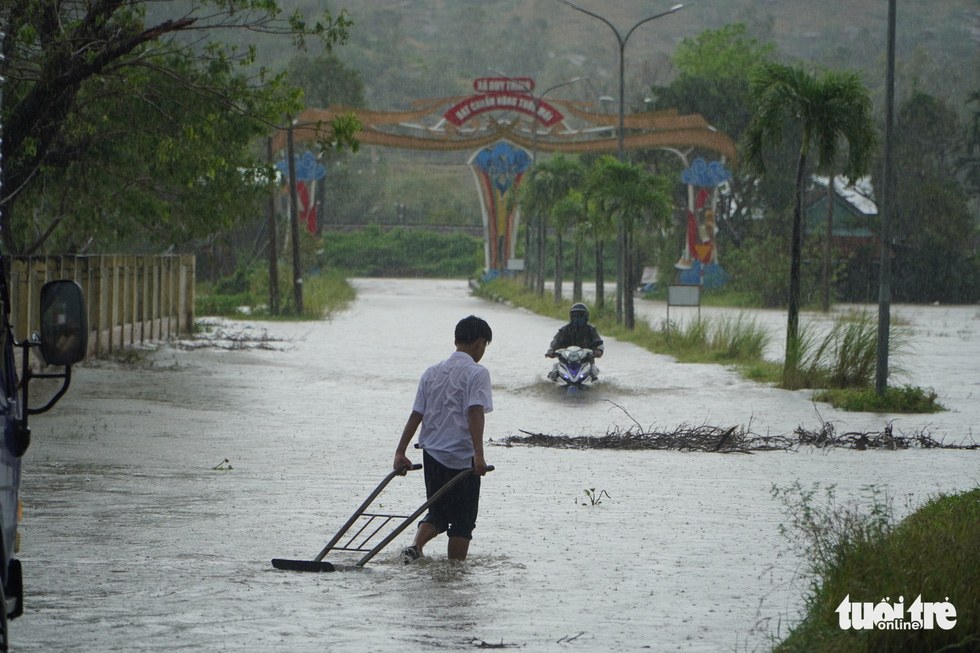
point(133, 541)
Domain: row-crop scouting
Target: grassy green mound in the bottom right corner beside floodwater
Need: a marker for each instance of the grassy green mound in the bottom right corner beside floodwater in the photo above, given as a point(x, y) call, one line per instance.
point(867, 557)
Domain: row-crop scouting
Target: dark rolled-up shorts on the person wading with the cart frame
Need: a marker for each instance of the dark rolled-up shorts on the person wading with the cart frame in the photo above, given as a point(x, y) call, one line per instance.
point(456, 511)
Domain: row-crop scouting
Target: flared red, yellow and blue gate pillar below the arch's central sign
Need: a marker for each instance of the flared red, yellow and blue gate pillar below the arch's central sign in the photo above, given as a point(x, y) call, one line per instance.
point(498, 171)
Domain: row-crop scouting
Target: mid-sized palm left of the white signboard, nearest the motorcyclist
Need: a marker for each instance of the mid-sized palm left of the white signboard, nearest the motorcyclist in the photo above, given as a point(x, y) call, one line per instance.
point(631, 195)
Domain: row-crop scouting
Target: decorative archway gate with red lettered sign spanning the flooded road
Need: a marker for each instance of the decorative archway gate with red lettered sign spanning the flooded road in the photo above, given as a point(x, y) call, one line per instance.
point(502, 121)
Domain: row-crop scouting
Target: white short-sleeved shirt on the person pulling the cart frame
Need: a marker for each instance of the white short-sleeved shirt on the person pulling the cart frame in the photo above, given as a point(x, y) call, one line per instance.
point(445, 393)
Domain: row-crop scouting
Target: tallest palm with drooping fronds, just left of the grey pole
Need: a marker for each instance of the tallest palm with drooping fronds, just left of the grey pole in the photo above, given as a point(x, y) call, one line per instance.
point(825, 109)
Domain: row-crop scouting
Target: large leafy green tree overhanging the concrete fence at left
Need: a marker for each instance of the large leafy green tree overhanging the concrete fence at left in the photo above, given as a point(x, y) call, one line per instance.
point(114, 122)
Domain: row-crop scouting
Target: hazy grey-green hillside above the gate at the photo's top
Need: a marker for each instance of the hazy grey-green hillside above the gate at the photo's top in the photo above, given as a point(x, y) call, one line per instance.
point(418, 49)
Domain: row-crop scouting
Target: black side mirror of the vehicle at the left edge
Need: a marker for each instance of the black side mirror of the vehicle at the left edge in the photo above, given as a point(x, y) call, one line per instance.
point(64, 323)
